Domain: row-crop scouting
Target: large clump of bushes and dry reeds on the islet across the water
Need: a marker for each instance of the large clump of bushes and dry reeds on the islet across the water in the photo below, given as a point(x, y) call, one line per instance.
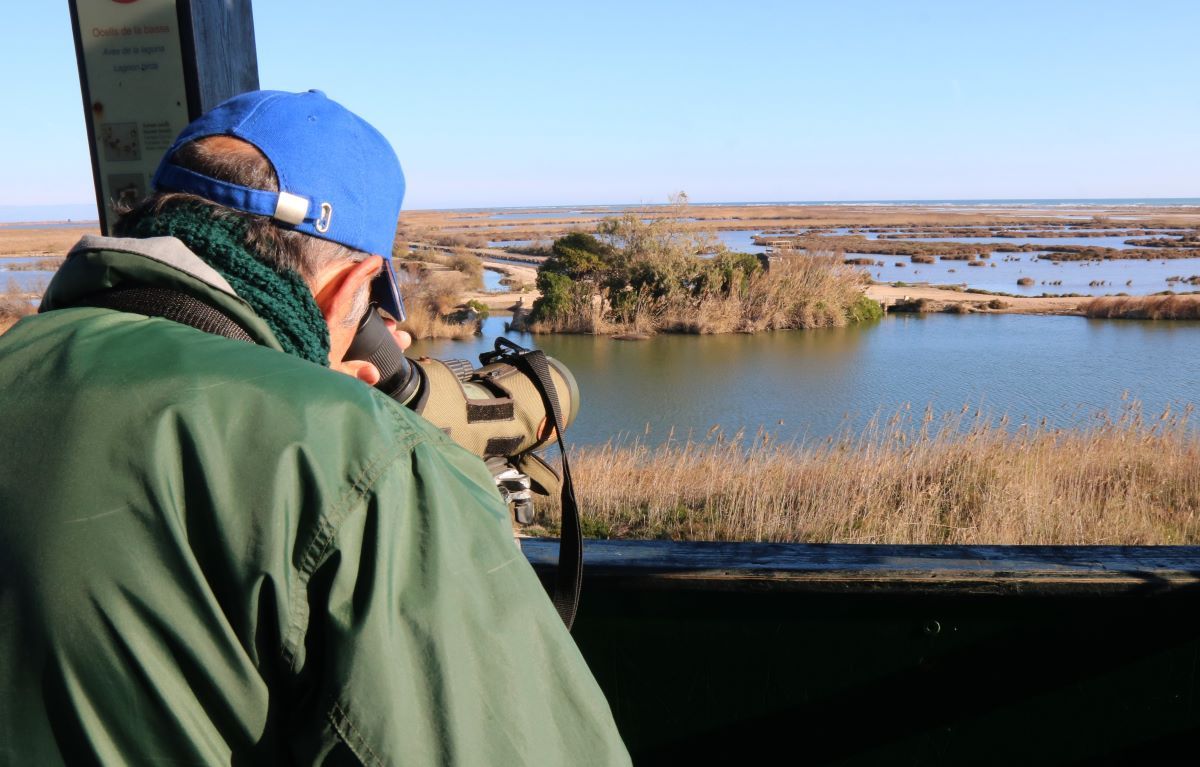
point(663, 273)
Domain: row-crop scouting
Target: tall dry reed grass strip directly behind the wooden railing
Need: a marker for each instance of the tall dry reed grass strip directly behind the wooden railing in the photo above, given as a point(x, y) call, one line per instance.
point(958, 480)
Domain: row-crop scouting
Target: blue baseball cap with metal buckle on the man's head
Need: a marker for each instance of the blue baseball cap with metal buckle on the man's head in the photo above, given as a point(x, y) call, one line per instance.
point(340, 179)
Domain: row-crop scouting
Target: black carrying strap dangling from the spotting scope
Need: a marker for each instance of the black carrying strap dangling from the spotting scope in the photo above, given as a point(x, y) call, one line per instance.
point(569, 577)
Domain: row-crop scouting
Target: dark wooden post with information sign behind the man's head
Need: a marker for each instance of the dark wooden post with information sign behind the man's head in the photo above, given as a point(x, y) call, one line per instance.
point(147, 69)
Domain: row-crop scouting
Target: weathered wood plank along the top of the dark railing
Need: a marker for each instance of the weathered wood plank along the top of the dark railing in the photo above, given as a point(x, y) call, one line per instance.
point(873, 568)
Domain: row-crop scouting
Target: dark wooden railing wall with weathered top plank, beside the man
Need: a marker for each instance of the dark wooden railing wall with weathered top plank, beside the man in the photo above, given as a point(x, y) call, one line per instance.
point(737, 654)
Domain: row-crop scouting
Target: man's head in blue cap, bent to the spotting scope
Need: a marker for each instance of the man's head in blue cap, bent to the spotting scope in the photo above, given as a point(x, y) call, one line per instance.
point(319, 187)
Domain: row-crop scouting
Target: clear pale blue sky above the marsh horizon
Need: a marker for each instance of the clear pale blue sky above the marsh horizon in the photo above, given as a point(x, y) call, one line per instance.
point(526, 104)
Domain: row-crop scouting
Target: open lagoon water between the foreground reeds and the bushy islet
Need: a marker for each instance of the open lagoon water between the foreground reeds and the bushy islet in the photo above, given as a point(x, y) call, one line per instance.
point(820, 382)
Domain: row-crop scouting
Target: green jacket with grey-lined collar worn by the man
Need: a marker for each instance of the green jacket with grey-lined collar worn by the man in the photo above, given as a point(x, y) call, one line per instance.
point(213, 553)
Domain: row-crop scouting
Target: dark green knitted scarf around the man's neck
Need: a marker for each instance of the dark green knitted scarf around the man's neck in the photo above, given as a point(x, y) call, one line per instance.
point(279, 296)
